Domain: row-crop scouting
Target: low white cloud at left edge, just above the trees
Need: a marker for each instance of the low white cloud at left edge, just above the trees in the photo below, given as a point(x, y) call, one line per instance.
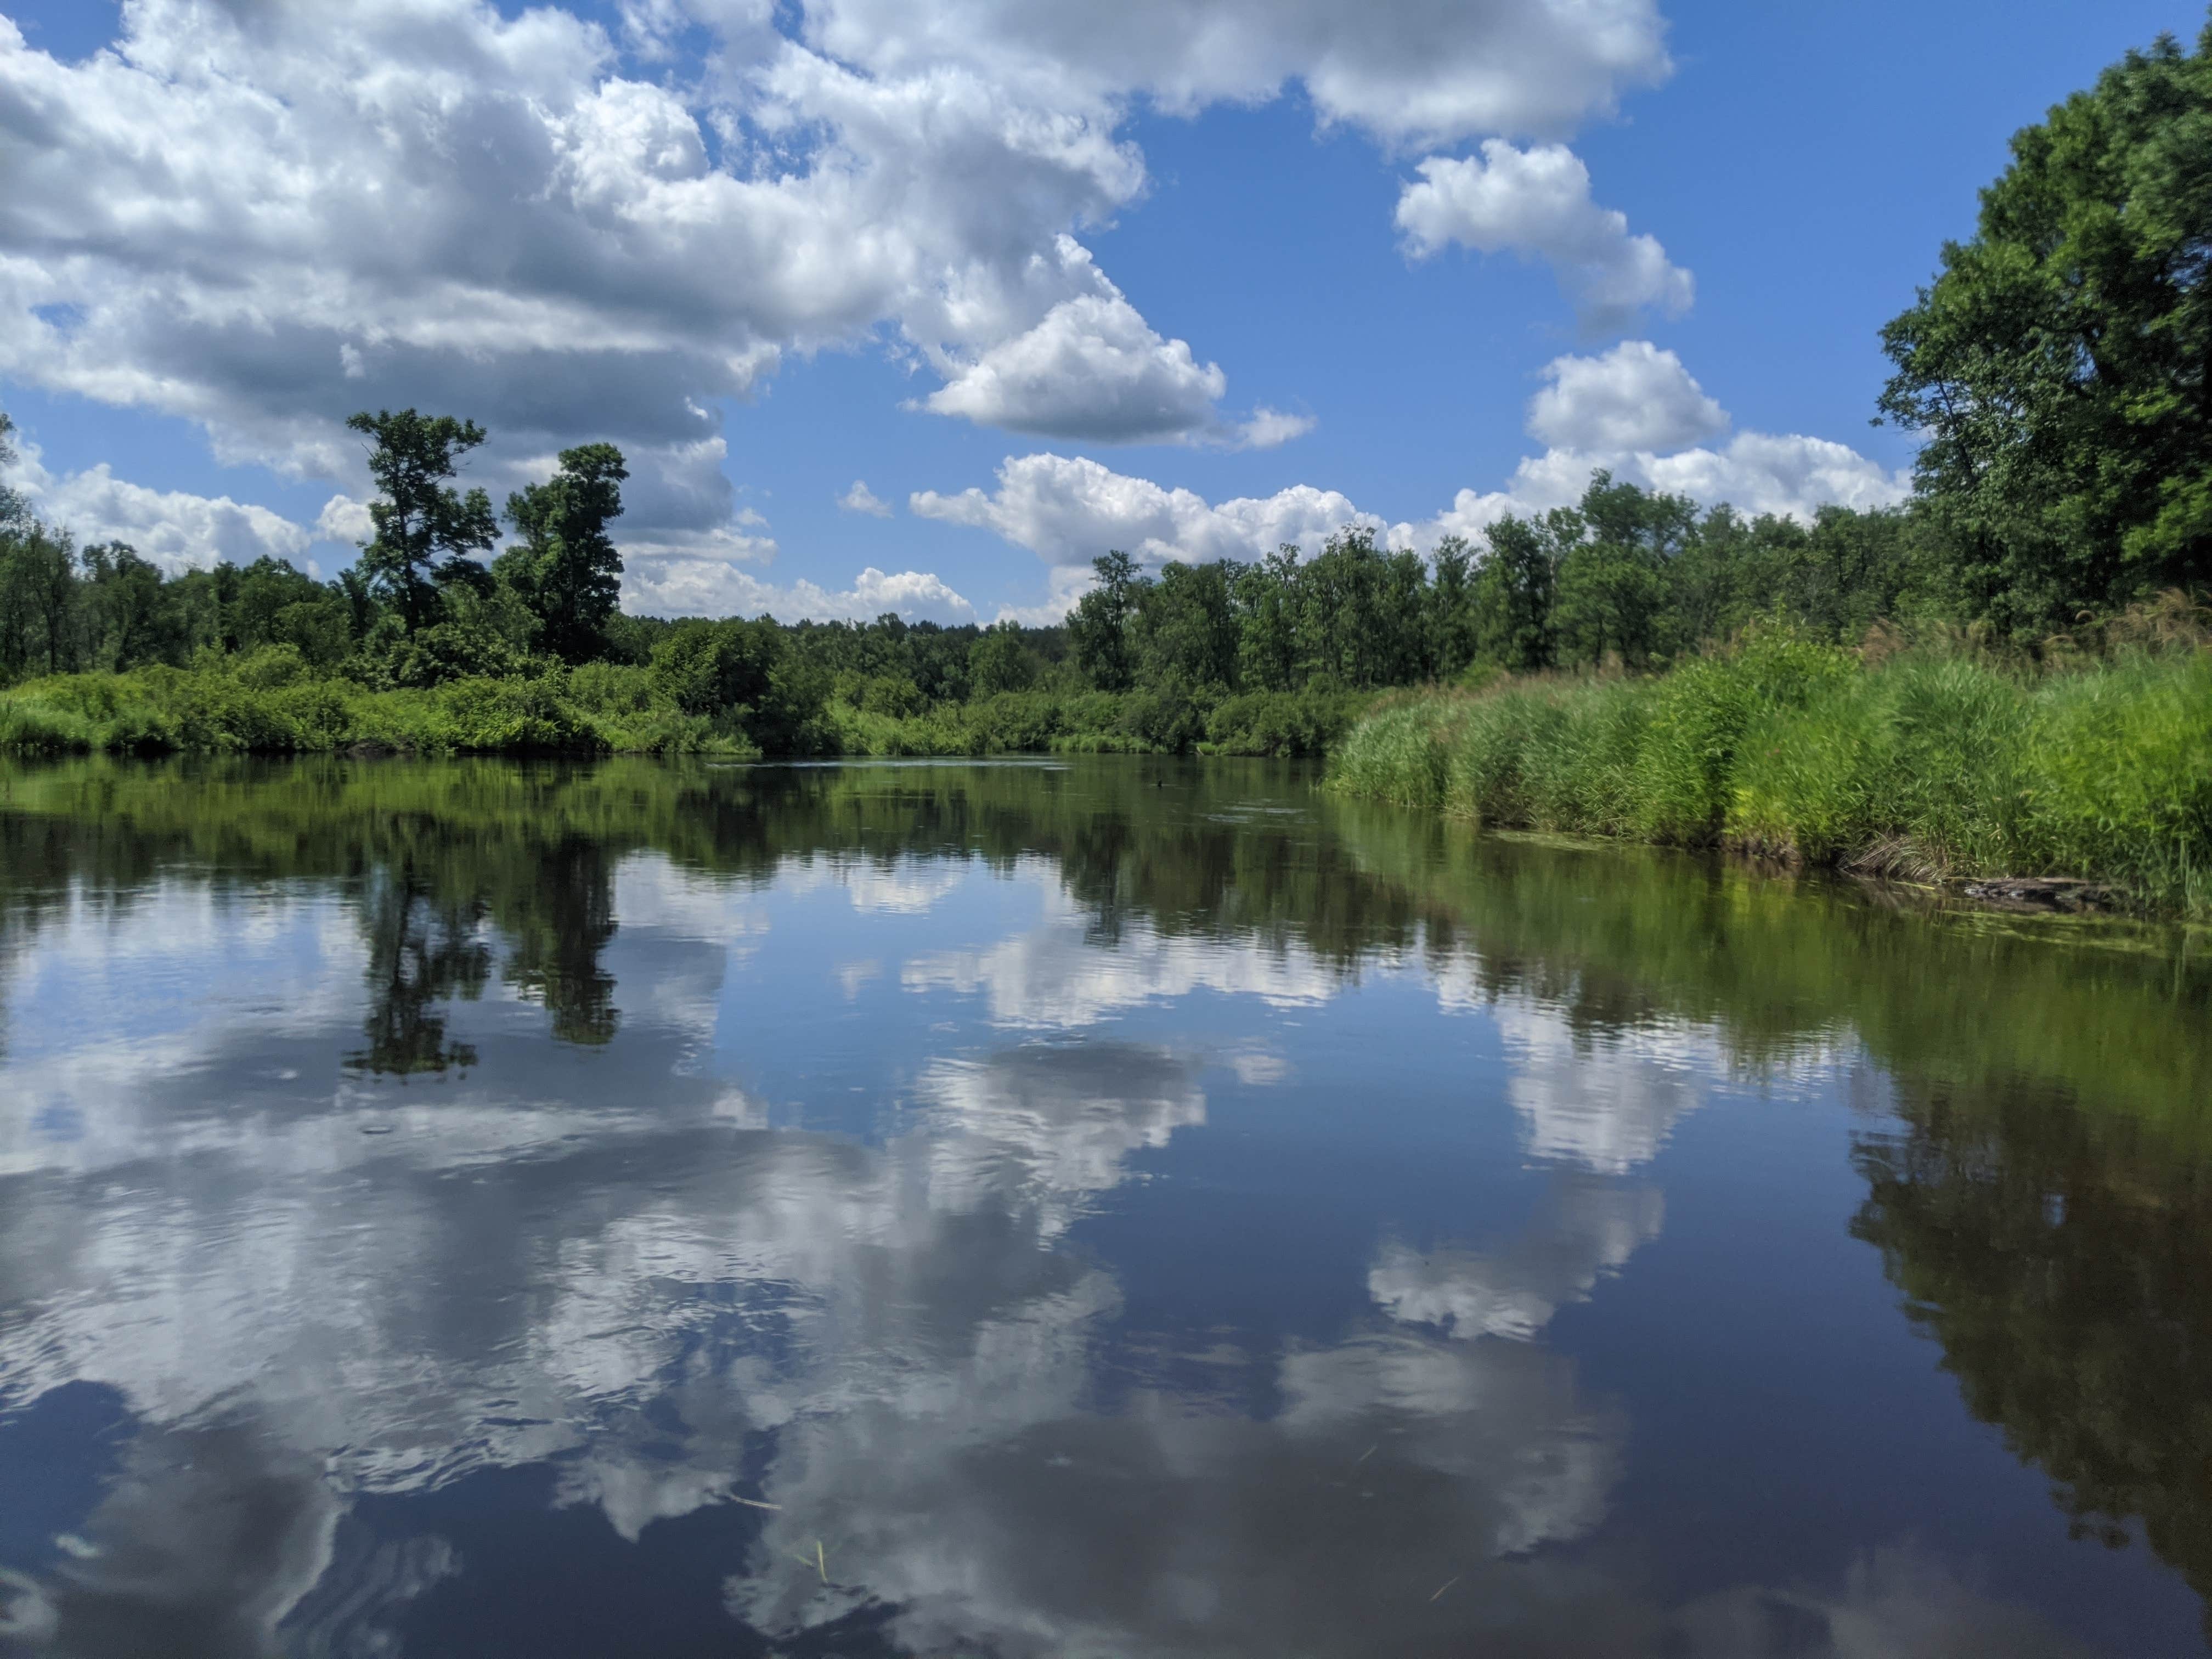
point(176, 530)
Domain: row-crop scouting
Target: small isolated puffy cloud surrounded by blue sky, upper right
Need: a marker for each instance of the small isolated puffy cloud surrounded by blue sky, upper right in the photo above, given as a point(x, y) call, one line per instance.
point(1538, 202)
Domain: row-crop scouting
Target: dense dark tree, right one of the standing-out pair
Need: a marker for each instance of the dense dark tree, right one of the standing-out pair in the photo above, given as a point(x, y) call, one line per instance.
point(567, 567)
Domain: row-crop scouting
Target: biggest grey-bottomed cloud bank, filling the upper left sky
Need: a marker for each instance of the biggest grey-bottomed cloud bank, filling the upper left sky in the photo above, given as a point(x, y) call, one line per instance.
point(340, 207)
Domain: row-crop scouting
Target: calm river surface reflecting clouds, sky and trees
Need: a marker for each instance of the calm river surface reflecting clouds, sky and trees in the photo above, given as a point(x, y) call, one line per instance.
point(1105, 1209)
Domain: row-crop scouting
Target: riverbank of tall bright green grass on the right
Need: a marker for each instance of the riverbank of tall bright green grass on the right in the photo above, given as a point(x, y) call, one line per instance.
point(1934, 764)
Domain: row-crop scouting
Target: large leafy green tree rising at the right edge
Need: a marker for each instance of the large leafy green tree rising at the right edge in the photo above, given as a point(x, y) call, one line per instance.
point(2060, 366)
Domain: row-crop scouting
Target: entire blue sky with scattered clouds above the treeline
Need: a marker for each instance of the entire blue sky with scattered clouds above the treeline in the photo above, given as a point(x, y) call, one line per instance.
point(924, 304)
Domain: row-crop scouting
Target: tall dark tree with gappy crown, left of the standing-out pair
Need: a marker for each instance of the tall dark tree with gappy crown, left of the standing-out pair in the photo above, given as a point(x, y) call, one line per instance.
point(426, 530)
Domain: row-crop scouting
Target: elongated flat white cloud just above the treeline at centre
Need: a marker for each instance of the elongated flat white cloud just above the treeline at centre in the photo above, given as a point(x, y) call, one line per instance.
point(1072, 510)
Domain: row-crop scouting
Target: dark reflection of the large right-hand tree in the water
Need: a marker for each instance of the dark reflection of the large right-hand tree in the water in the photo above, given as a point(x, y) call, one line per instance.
point(2063, 1262)
